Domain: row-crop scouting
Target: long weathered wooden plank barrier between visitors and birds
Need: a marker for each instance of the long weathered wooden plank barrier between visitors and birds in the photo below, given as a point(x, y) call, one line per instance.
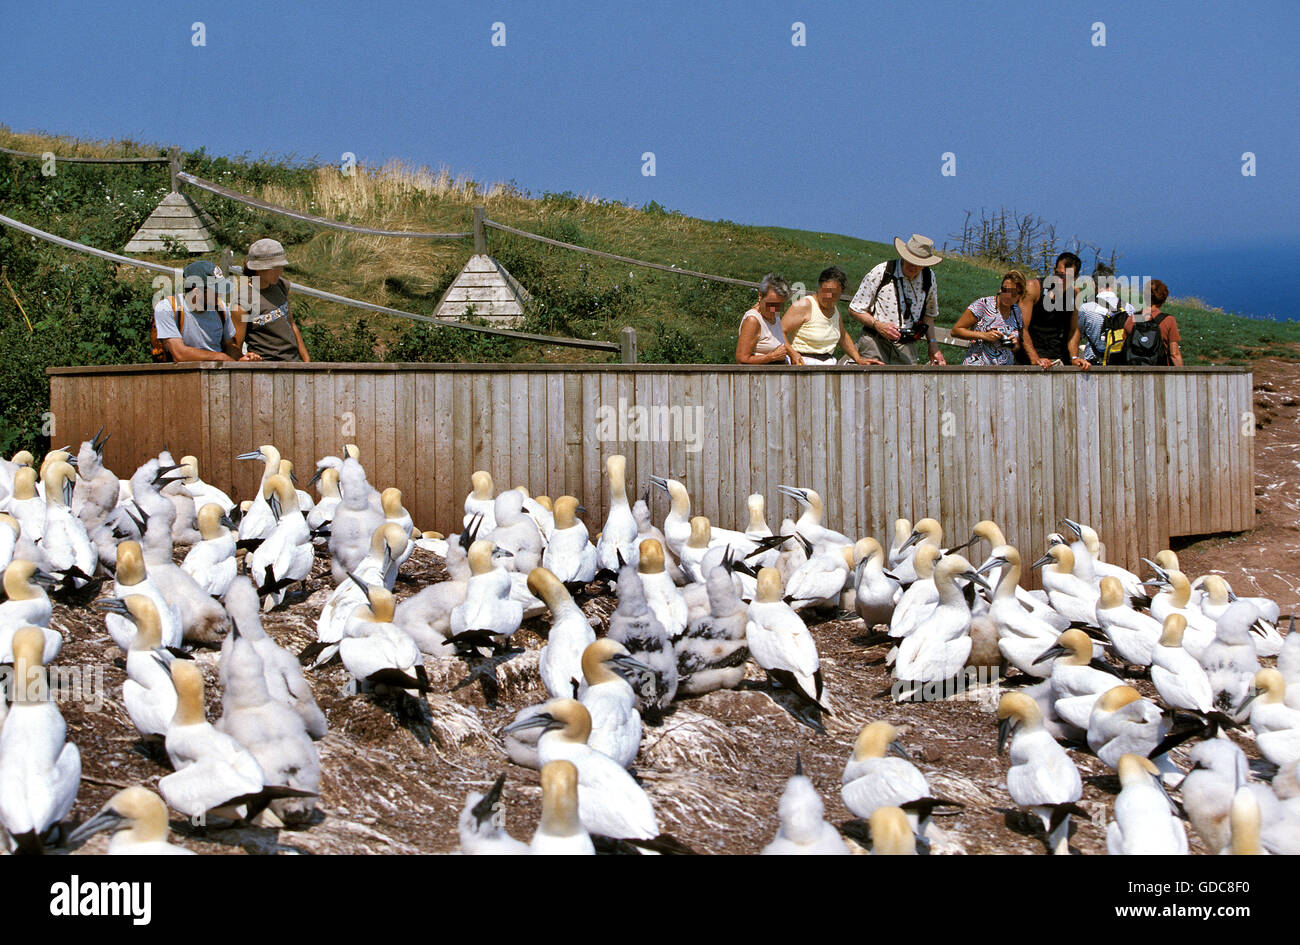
point(1141, 454)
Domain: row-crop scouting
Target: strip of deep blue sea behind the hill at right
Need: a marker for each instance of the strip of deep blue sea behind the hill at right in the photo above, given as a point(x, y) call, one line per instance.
point(1259, 281)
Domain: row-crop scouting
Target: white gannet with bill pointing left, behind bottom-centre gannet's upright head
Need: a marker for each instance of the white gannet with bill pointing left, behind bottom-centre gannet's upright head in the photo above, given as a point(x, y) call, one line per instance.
point(610, 803)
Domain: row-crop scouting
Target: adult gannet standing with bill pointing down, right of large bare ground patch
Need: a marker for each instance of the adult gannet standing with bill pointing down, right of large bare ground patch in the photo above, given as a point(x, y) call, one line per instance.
point(1042, 775)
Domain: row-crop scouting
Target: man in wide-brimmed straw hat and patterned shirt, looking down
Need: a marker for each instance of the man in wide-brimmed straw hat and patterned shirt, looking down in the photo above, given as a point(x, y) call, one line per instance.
point(898, 304)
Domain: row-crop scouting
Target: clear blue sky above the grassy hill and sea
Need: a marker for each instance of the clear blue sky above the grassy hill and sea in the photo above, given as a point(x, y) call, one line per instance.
point(1137, 144)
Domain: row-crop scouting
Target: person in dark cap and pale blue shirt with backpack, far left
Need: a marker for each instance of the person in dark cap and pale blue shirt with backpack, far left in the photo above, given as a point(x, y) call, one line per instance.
point(196, 324)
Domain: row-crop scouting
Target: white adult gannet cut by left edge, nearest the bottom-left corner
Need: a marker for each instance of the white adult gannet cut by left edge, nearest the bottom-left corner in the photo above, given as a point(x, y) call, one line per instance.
point(40, 769)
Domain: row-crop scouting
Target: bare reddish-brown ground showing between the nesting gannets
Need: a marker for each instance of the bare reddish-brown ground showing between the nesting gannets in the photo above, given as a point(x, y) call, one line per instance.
point(714, 768)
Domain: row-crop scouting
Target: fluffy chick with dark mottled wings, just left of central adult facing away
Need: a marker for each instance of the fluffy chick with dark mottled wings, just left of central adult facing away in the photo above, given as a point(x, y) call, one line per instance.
point(713, 652)
